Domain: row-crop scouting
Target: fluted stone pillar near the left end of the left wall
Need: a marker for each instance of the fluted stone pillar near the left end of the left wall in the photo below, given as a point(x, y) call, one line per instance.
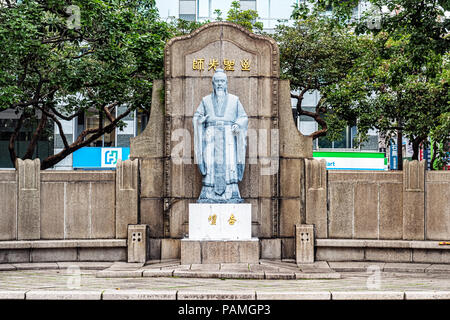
point(29, 199)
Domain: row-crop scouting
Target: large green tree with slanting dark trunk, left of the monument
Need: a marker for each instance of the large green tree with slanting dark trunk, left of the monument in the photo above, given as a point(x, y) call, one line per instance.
point(62, 60)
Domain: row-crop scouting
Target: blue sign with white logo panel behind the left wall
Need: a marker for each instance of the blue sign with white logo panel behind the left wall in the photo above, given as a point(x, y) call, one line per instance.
point(99, 158)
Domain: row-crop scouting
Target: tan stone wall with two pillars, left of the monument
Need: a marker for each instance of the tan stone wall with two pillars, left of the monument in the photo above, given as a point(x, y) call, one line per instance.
point(65, 205)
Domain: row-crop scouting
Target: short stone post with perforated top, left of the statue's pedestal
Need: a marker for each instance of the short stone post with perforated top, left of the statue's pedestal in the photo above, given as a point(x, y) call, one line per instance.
point(138, 243)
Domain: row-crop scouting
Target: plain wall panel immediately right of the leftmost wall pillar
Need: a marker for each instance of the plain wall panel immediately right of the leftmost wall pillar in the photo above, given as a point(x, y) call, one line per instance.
point(52, 210)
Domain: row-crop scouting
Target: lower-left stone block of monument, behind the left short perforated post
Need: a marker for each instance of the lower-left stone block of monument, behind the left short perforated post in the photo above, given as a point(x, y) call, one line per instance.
point(152, 214)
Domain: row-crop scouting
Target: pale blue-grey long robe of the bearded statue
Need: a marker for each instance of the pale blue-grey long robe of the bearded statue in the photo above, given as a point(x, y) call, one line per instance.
point(220, 153)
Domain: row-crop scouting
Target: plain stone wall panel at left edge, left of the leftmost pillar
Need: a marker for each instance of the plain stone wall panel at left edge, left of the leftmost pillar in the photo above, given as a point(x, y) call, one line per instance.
point(8, 214)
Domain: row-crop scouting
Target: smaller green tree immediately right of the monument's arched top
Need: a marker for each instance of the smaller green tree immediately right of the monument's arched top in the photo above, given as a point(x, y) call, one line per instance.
point(316, 53)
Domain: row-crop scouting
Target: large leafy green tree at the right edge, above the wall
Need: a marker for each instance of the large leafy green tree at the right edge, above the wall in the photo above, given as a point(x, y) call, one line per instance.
point(404, 83)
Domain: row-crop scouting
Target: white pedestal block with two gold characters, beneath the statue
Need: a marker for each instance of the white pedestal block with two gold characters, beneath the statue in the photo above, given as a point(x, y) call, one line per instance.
point(220, 221)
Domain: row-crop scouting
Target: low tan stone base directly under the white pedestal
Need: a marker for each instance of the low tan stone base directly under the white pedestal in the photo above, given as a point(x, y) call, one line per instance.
point(233, 251)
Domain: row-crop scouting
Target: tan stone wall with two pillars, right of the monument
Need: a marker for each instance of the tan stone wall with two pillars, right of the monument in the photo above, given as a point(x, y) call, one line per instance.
point(408, 205)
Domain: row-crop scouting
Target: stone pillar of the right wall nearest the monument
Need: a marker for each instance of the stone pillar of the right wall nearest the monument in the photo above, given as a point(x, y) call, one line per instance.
point(316, 196)
